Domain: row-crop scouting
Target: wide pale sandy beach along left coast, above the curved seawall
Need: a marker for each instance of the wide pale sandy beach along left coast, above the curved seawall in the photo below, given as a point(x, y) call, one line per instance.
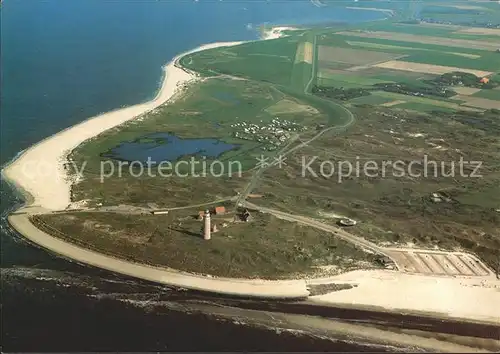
point(39, 171)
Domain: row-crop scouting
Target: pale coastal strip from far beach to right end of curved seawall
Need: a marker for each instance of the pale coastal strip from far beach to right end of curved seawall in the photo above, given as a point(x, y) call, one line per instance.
point(53, 192)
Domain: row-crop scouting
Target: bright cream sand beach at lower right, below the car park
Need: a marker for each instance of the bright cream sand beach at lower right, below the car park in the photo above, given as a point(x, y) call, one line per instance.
point(459, 297)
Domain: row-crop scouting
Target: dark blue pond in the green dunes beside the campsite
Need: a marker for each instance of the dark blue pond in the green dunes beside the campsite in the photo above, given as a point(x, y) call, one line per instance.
point(168, 147)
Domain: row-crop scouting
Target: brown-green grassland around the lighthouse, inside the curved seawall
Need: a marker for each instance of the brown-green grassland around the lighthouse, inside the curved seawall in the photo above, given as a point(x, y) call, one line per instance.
point(266, 247)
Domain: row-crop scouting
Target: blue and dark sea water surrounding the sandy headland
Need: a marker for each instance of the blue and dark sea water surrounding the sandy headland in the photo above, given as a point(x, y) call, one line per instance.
point(64, 61)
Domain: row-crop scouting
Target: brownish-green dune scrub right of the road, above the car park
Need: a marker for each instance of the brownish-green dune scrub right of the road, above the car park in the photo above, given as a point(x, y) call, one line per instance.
point(395, 209)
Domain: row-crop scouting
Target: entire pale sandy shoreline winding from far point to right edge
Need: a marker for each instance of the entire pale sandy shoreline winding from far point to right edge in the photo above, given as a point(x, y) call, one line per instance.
point(51, 193)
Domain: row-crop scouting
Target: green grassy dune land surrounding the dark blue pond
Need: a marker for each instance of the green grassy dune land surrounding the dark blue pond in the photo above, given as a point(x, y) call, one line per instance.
point(209, 110)
